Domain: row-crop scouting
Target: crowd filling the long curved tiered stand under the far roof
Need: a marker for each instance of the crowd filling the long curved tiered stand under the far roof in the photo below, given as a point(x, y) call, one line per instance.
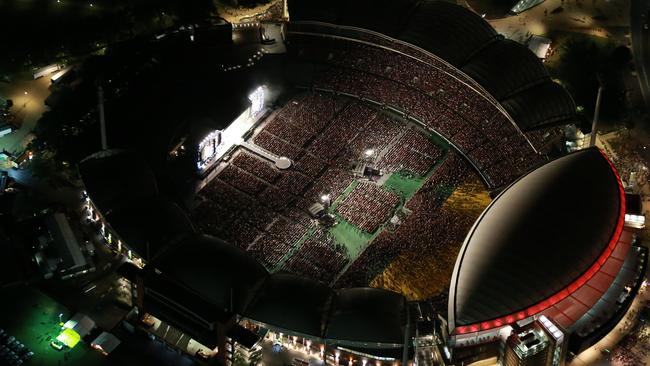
point(441, 101)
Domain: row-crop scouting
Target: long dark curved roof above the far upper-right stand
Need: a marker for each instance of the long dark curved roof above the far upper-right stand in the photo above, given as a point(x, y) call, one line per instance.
point(510, 72)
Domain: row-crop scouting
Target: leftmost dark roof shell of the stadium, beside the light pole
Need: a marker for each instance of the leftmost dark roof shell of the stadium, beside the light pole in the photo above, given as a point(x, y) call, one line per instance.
point(115, 177)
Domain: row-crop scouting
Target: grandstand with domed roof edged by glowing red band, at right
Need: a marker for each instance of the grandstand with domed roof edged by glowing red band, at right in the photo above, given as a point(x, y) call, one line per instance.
point(552, 244)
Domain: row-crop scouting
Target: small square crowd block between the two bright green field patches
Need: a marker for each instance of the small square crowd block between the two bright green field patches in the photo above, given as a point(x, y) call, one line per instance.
point(368, 206)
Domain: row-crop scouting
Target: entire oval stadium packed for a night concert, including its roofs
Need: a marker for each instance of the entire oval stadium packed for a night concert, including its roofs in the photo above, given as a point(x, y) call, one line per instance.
point(377, 185)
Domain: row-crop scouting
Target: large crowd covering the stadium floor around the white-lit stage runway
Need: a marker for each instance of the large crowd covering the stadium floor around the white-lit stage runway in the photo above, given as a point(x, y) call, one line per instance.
point(264, 210)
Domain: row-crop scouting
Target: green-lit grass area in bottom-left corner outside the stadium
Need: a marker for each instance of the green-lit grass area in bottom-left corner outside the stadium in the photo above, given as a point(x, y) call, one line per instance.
point(33, 318)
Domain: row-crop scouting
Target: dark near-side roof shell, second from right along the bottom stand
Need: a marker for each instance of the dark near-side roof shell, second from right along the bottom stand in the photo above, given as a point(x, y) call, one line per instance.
point(306, 300)
